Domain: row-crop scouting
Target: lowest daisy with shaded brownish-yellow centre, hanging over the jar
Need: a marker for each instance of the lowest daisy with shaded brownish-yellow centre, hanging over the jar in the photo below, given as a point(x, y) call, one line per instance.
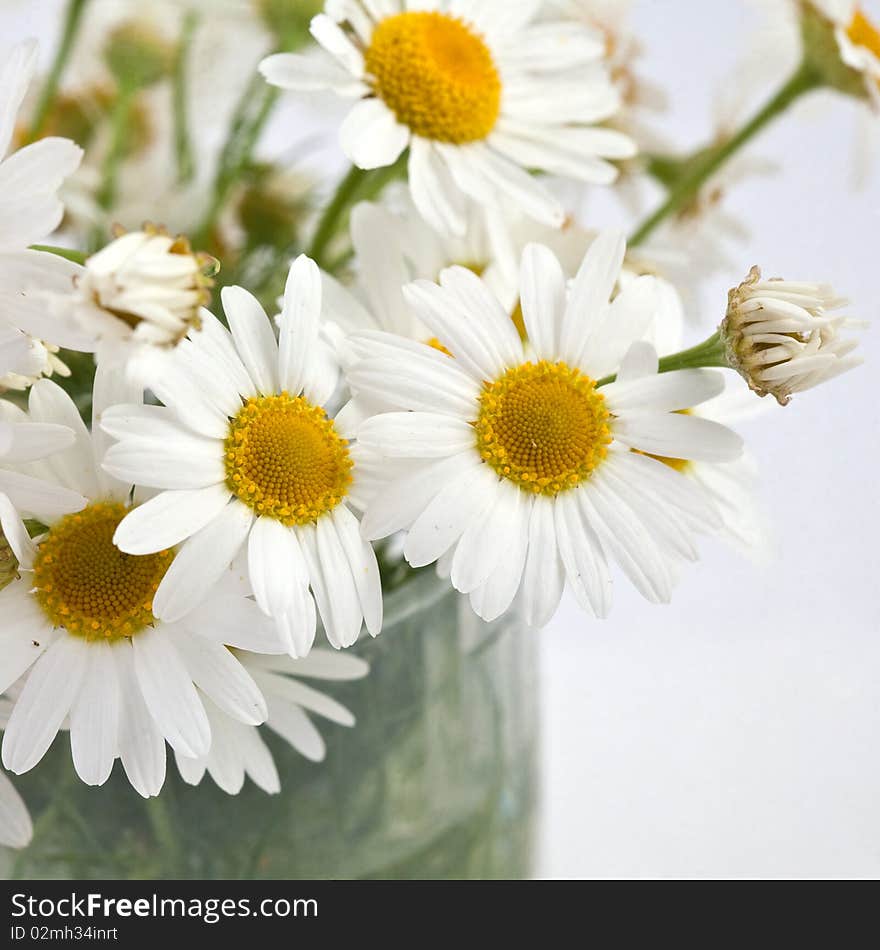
point(79, 623)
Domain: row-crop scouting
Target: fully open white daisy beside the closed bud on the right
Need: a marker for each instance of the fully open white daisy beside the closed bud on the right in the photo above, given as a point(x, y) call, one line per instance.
point(517, 471)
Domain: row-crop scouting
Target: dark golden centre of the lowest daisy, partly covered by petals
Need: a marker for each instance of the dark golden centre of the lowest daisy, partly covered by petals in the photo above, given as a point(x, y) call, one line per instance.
point(86, 585)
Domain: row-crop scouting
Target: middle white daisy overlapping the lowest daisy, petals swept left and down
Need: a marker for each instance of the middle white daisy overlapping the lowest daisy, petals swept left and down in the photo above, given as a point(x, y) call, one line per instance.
point(245, 454)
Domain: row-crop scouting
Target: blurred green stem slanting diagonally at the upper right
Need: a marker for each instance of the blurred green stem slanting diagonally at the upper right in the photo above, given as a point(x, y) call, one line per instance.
point(711, 159)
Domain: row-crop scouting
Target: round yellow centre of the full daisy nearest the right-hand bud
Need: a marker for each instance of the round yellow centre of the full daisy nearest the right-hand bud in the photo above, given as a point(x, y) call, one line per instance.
point(544, 426)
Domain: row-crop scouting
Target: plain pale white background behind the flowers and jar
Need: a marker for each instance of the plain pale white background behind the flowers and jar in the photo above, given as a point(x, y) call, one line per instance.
point(735, 733)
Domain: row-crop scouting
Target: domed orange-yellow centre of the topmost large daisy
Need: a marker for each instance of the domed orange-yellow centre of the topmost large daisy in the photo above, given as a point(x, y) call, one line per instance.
point(436, 75)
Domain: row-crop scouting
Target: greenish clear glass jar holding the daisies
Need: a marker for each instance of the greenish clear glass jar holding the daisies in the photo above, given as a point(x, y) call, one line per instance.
point(436, 780)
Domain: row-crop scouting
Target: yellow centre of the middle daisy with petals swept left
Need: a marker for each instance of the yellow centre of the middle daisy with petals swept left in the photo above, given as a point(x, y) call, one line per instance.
point(285, 459)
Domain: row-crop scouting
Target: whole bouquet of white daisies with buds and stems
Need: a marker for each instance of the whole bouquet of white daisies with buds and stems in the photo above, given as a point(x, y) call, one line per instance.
point(222, 434)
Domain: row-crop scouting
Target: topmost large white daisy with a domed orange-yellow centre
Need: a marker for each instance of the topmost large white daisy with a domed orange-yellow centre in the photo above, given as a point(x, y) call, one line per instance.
point(478, 92)
